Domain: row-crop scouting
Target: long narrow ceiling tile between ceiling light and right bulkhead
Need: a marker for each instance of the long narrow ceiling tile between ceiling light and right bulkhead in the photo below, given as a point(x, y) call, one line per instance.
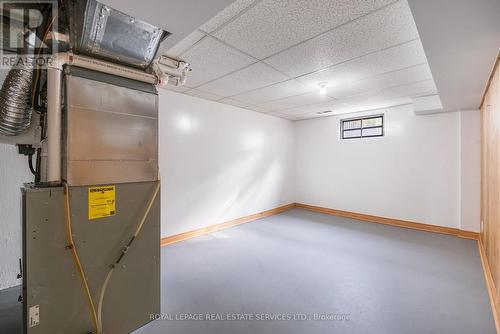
point(384, 81)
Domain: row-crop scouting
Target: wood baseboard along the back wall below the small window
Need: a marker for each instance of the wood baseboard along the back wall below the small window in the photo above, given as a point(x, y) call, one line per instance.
point(391, 221)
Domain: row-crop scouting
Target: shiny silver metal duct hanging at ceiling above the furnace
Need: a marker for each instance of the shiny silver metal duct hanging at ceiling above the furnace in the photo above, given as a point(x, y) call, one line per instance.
point(100, 31)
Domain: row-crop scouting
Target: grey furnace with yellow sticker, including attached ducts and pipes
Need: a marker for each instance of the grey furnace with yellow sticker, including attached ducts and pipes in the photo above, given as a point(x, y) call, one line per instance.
point(91, 220)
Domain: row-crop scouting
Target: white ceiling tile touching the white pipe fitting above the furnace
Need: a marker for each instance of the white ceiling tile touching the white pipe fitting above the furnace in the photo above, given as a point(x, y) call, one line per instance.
point(210, 59)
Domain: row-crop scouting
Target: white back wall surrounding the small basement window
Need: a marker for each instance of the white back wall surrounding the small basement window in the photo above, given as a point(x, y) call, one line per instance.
point(412, 173)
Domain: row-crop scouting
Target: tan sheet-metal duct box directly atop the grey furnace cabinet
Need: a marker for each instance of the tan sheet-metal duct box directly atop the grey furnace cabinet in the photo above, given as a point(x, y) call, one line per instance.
point(111, 129)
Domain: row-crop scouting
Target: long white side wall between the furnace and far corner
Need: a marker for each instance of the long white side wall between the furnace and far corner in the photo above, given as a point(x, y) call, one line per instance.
point(220, 162)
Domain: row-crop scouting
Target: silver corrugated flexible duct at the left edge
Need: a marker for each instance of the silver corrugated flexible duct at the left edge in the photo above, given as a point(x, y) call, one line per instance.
point(15, 97)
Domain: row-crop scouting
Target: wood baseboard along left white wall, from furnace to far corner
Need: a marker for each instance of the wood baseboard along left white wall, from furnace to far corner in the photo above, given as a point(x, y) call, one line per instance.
point(217, 227)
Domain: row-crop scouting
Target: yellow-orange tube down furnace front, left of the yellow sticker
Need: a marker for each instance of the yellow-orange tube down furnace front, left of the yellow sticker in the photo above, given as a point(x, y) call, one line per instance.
point(76, 259)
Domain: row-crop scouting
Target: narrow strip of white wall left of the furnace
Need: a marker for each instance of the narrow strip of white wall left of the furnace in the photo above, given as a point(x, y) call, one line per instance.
point(14, 172)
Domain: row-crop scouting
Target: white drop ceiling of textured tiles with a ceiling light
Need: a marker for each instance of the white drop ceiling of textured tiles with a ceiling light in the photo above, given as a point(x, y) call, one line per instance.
point(270, 56)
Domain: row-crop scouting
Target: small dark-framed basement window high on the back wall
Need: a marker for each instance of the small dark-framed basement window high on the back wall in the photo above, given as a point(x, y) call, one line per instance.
point(362, 127)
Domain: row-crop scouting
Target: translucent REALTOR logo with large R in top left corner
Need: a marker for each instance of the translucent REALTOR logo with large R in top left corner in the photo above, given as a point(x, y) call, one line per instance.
point(25, 27)
